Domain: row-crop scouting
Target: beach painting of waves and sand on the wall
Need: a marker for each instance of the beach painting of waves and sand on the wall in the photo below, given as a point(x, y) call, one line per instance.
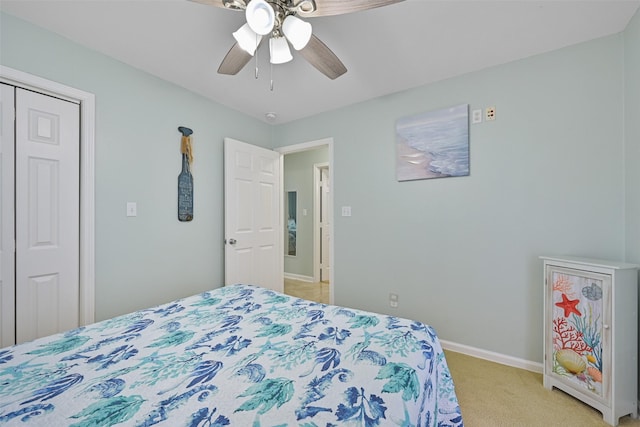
point(433, 145)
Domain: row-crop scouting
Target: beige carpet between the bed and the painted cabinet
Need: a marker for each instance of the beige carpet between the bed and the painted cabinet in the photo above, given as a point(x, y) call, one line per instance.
point(495, 395)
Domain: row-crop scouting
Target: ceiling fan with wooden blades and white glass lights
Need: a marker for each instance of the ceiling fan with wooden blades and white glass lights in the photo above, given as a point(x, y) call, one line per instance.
point(280, 21)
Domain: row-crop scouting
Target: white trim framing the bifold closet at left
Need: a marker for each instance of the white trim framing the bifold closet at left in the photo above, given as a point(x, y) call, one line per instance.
point(87, 176)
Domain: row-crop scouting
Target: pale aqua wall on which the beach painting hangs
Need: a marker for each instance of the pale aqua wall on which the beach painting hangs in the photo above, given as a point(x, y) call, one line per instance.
point(462, 253)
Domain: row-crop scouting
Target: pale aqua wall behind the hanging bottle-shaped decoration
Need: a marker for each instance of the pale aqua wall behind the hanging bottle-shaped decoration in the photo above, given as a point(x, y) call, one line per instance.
point(152, 258)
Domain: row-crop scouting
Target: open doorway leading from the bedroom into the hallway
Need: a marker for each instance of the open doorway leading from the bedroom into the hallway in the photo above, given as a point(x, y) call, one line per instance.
point(307, 216)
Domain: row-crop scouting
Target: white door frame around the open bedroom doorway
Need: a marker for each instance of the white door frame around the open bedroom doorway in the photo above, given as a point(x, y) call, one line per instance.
point(305, 146)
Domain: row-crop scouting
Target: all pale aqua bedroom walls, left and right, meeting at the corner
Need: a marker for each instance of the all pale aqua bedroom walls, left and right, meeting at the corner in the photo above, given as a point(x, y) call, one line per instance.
point(547, 177)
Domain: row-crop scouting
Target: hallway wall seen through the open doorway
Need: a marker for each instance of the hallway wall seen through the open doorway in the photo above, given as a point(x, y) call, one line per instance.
point(298, 176)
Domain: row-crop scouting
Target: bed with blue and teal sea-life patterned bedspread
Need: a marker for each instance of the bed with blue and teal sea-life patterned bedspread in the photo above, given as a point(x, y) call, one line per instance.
point(235, 356)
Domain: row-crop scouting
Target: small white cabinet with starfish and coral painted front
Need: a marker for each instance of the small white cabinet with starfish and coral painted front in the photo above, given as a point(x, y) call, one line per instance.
point(591, 333)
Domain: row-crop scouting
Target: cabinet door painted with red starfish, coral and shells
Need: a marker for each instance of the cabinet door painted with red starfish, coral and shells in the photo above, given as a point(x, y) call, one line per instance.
point(578, 334)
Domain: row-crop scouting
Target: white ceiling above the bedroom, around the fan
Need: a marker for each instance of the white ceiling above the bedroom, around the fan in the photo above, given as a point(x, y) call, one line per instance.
point(385, 50)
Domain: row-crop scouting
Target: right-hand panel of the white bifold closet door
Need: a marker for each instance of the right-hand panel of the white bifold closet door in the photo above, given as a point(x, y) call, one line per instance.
point(47, 214)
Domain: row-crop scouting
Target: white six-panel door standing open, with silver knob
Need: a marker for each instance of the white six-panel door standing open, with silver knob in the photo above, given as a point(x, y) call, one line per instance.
point(252, 216)
